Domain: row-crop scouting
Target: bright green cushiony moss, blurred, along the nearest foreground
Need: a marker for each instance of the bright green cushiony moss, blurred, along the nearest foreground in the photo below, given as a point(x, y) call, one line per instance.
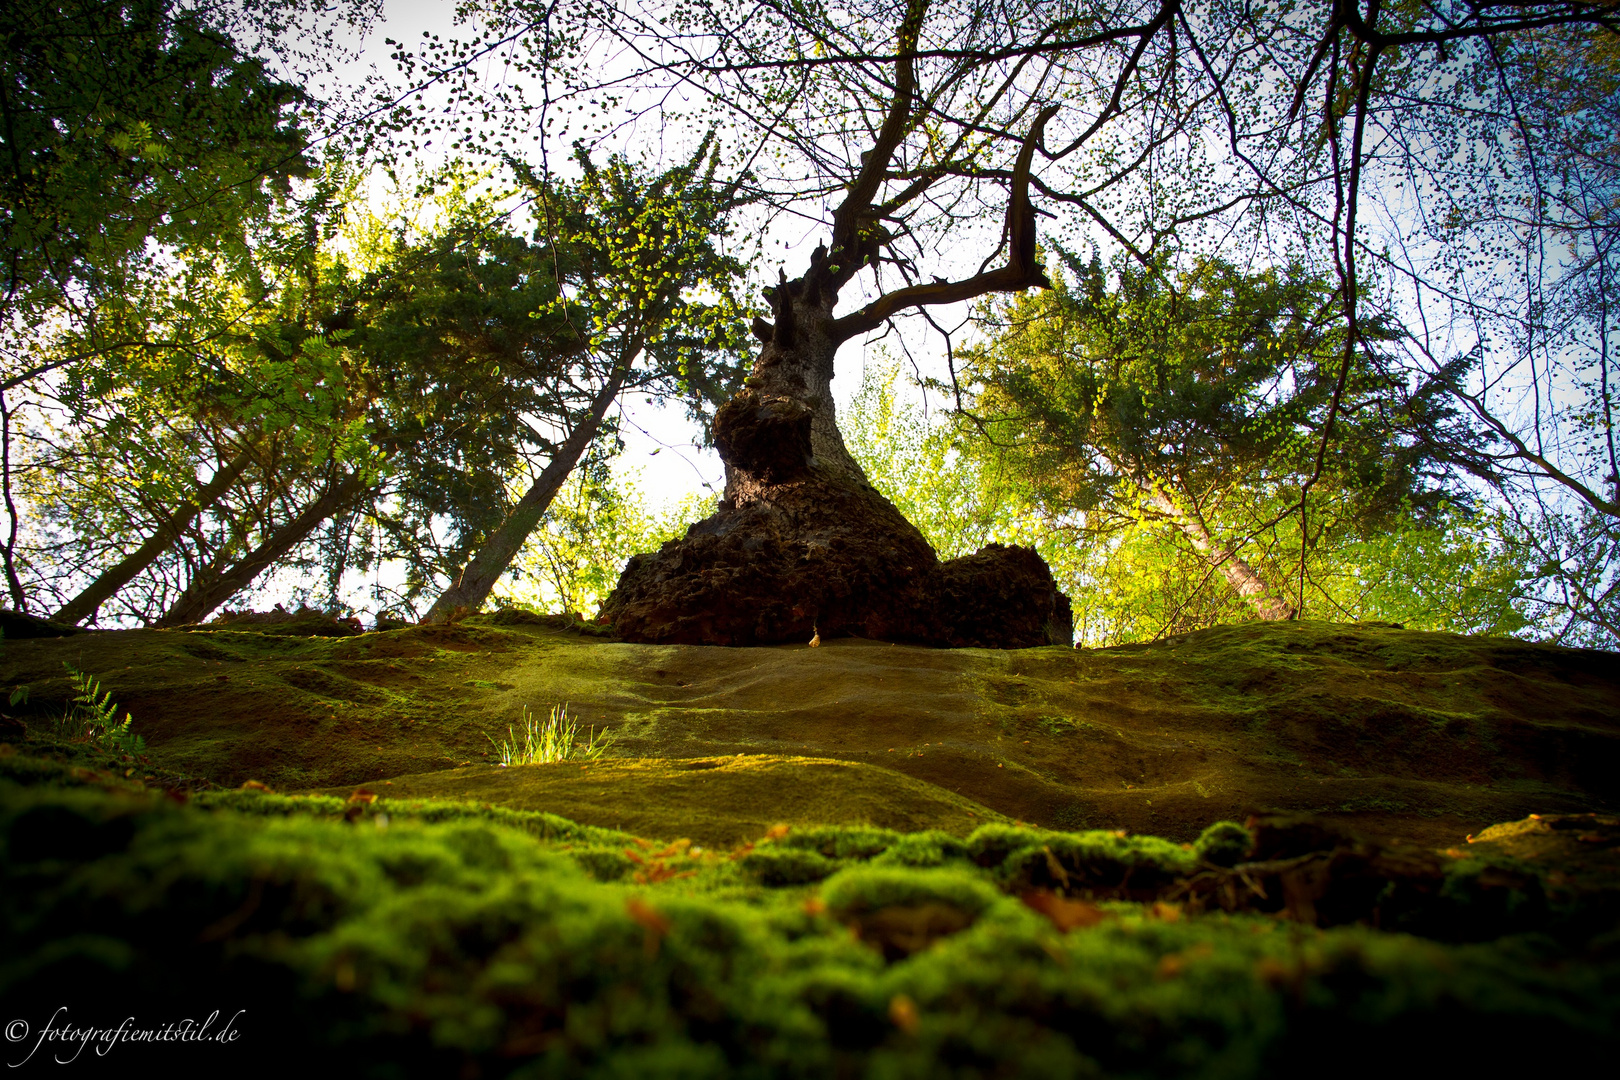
point(393, 945)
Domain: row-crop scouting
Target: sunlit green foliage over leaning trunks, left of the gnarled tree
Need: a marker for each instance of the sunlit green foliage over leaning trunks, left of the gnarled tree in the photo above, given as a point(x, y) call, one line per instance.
point(388, 402)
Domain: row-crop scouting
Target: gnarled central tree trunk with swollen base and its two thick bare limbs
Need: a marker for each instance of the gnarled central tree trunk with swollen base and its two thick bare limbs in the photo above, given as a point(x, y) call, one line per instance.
point(803, 543)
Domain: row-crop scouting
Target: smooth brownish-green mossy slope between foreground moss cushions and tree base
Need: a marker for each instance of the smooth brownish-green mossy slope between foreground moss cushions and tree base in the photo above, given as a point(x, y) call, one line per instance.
point(1418, 734)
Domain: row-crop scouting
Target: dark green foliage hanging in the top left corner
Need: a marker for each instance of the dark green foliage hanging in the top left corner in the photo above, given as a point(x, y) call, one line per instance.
point(142, 143)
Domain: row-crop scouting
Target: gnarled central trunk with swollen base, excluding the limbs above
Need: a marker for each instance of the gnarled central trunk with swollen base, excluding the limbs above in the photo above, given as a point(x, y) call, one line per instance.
point(803, 543)
